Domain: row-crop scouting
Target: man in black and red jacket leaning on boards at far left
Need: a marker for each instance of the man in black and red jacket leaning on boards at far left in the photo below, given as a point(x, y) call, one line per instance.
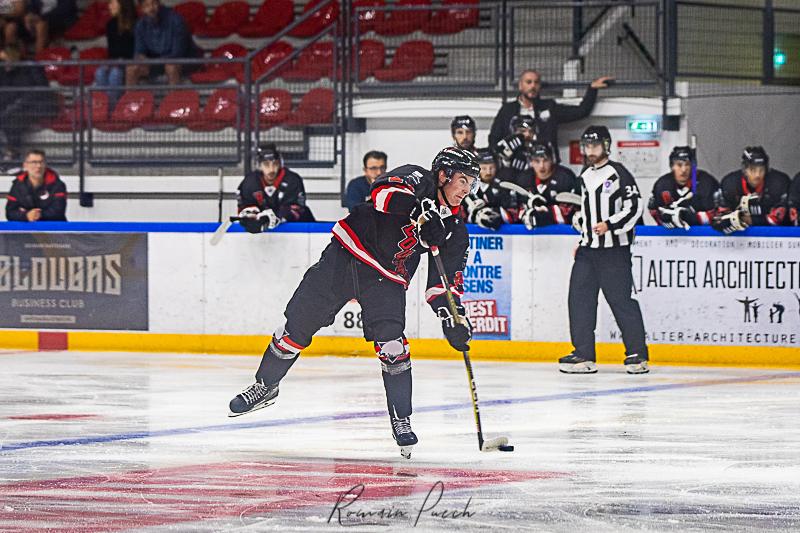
point(37, 193)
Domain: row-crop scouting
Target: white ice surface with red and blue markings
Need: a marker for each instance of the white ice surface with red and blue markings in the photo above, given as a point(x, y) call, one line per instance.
point(110, 442)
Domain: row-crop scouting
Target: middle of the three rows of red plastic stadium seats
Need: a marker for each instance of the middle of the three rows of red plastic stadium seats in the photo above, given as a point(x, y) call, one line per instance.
point(411, 59)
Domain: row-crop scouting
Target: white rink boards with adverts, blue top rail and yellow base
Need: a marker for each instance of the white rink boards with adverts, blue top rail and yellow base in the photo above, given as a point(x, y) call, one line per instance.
point(164, 287)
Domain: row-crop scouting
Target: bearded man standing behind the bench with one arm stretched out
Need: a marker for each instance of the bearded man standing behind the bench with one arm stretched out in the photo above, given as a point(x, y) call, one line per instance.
point(546, 112)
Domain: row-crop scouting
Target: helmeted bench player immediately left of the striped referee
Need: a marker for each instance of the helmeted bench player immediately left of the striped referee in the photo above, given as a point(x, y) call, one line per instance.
point(545, 180)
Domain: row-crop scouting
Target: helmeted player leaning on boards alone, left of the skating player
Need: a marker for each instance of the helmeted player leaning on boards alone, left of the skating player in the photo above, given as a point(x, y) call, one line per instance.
point(272, 194)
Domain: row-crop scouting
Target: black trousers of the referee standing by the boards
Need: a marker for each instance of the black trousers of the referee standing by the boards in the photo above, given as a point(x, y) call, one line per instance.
point(609, 270)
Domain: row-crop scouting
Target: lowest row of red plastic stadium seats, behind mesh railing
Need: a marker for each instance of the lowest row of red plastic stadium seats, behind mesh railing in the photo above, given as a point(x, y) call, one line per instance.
point(182, 107)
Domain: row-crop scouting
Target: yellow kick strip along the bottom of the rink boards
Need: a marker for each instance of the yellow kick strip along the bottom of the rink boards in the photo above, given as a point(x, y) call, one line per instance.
point(482, 350)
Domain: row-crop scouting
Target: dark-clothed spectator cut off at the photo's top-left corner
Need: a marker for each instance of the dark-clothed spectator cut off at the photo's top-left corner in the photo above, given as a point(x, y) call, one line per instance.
point(42, 19)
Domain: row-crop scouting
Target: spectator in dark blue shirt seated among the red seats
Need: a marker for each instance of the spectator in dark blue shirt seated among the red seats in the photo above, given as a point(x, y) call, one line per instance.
point(160, 33)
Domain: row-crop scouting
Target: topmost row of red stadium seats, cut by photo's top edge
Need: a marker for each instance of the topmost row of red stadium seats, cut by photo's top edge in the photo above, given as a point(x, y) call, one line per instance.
point(274, 15)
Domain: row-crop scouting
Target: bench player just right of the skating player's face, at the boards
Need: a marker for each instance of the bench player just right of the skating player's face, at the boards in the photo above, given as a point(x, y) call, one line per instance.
point(487, 206)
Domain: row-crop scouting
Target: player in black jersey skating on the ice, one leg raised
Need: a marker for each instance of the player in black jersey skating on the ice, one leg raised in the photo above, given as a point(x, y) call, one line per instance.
point(372, 257)
